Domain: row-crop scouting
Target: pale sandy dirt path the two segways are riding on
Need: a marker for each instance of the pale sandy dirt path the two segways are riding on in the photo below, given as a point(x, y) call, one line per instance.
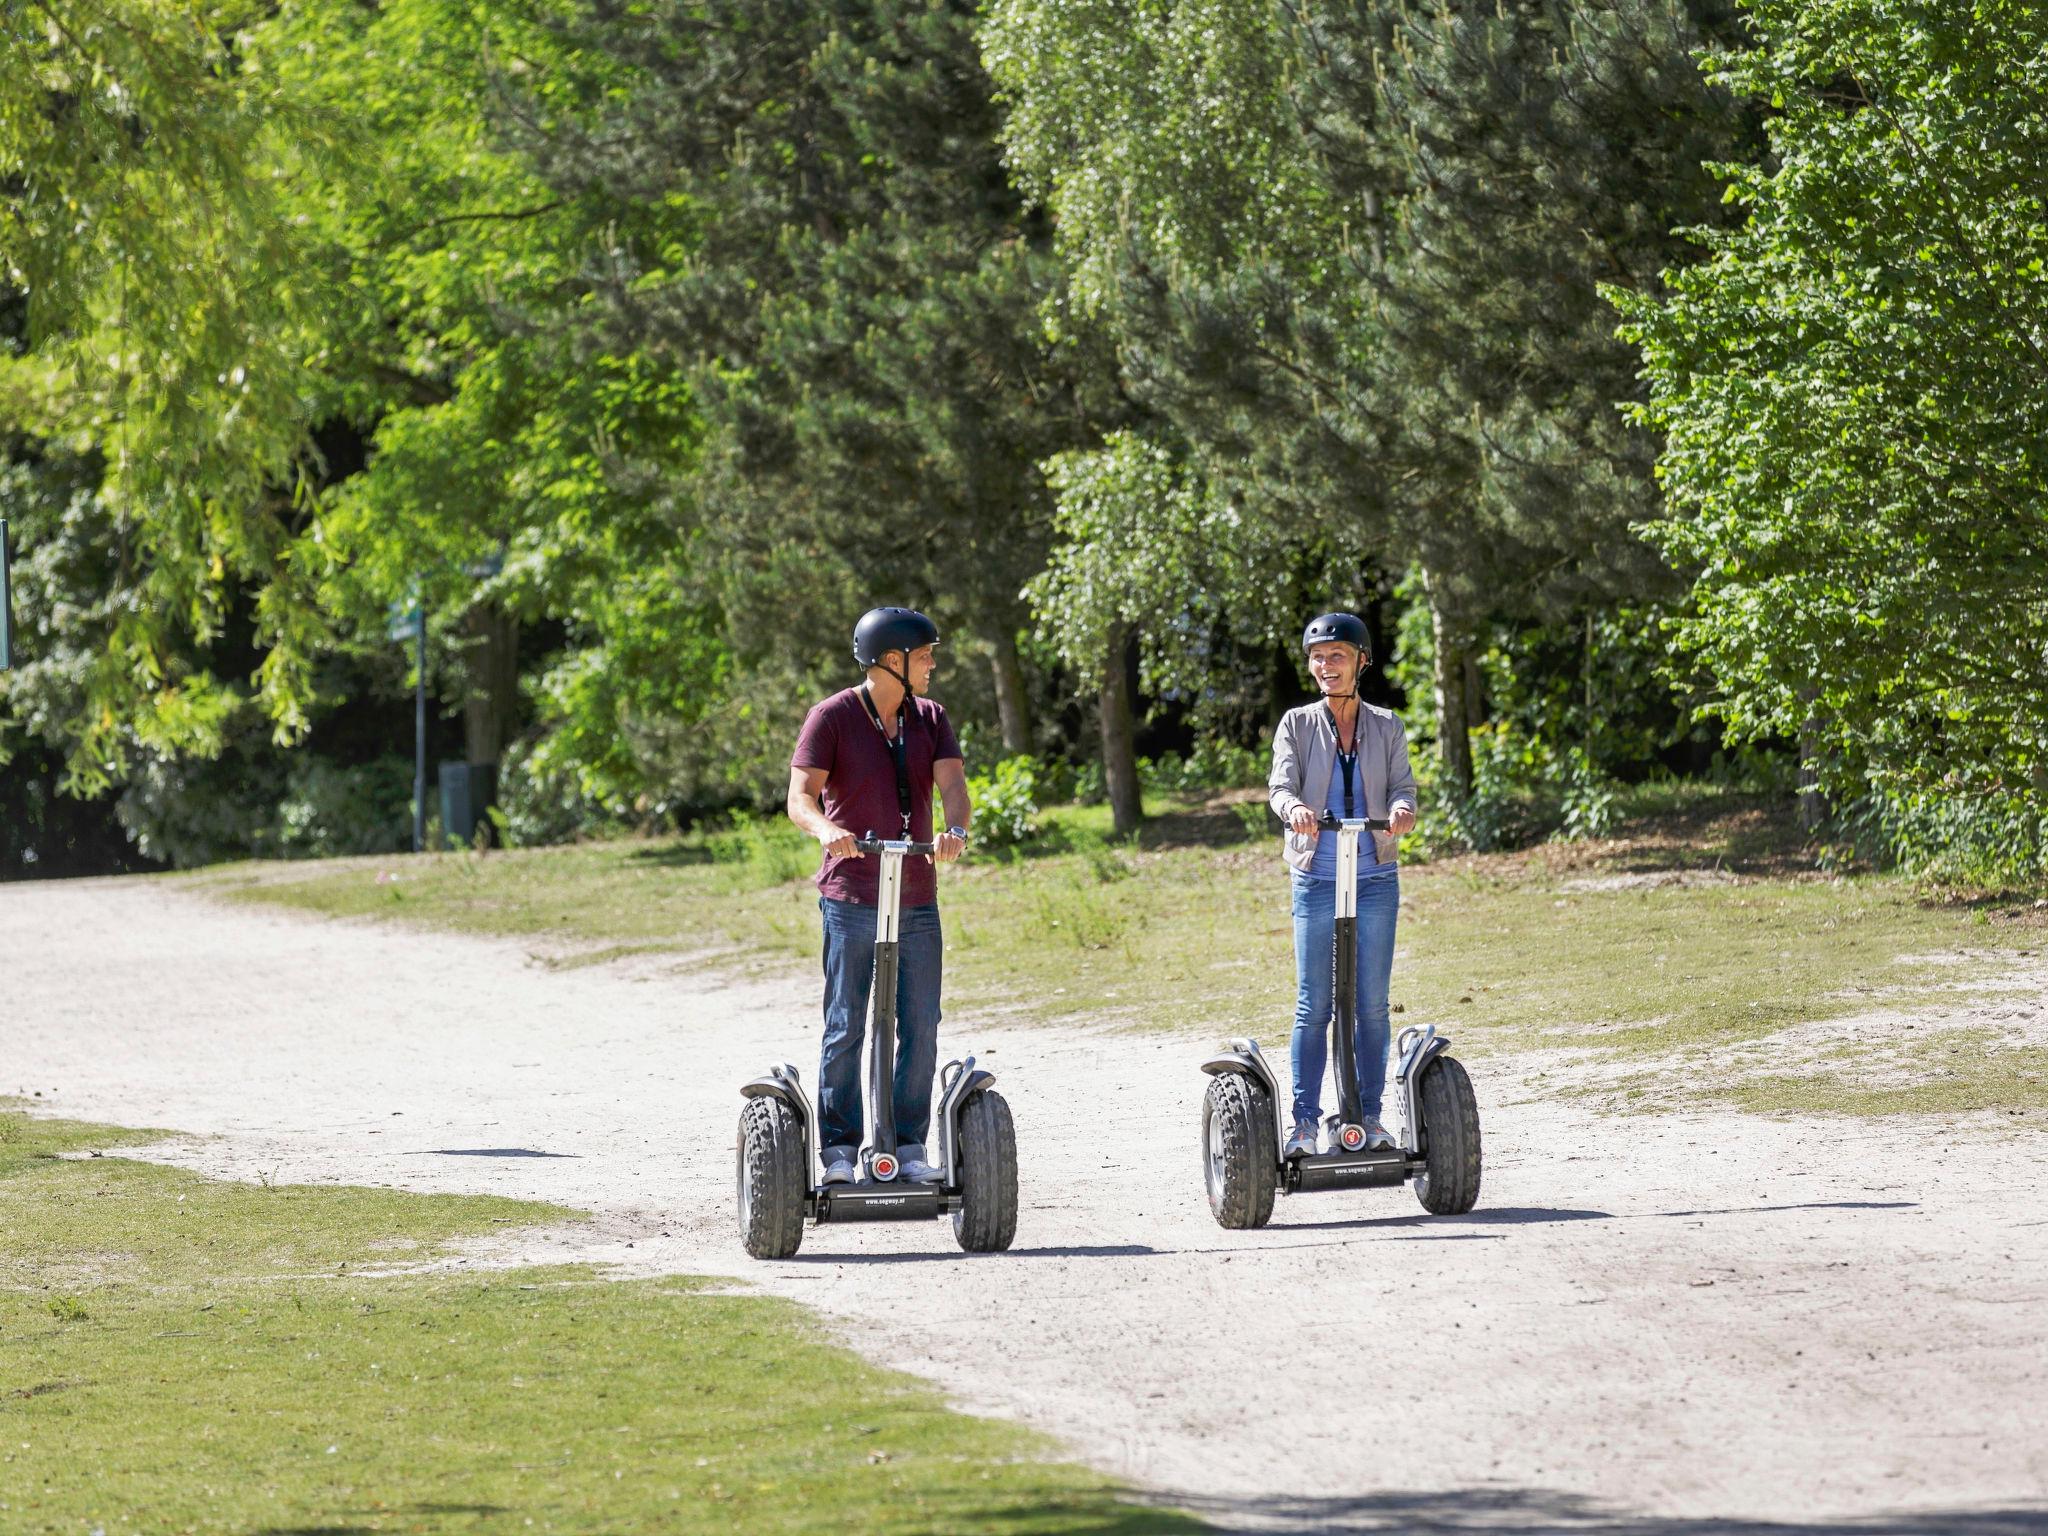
point(1668, 1326)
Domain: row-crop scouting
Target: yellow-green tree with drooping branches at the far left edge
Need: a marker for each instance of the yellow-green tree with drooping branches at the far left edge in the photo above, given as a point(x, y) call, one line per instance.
point(175, 306)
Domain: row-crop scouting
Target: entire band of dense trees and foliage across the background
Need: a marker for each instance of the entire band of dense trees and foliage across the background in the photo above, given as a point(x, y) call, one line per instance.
point(1656, 376)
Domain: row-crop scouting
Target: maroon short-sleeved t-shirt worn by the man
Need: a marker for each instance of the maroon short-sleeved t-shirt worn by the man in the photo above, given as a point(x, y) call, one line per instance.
point(841, 738)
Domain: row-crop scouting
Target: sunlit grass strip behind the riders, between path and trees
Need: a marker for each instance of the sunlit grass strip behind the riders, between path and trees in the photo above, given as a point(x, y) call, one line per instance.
point(1644, 949)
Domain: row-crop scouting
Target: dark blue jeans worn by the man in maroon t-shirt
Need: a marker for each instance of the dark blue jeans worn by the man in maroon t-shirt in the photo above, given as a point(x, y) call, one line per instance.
point(849, 984)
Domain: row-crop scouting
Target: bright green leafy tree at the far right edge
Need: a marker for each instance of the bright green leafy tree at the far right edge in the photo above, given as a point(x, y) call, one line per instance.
point(1850, 396)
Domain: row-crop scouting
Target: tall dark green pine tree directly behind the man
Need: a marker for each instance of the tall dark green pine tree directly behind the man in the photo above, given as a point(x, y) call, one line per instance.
point(857, 316)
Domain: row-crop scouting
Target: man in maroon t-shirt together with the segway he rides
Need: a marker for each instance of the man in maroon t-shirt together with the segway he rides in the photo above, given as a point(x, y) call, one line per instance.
point(861, 783)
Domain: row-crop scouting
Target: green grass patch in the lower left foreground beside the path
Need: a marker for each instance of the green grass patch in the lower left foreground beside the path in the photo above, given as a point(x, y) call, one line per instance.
point(200, 1357)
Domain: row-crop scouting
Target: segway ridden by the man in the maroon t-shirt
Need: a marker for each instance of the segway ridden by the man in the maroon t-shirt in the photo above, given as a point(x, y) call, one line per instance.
point(978, 1152)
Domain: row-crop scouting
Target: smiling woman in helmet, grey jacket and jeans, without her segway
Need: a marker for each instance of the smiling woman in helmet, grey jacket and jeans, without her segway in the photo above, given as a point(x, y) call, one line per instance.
point(1340, 759)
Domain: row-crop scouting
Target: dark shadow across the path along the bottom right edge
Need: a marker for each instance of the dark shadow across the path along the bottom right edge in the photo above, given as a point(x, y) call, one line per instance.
point(1527, 1512)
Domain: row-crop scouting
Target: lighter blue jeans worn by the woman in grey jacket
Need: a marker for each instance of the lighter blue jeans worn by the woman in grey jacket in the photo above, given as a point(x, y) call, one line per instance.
point(1316, 982)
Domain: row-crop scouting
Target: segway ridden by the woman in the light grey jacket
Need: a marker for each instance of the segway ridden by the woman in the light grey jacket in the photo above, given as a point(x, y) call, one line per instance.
point(1242, 1140)
